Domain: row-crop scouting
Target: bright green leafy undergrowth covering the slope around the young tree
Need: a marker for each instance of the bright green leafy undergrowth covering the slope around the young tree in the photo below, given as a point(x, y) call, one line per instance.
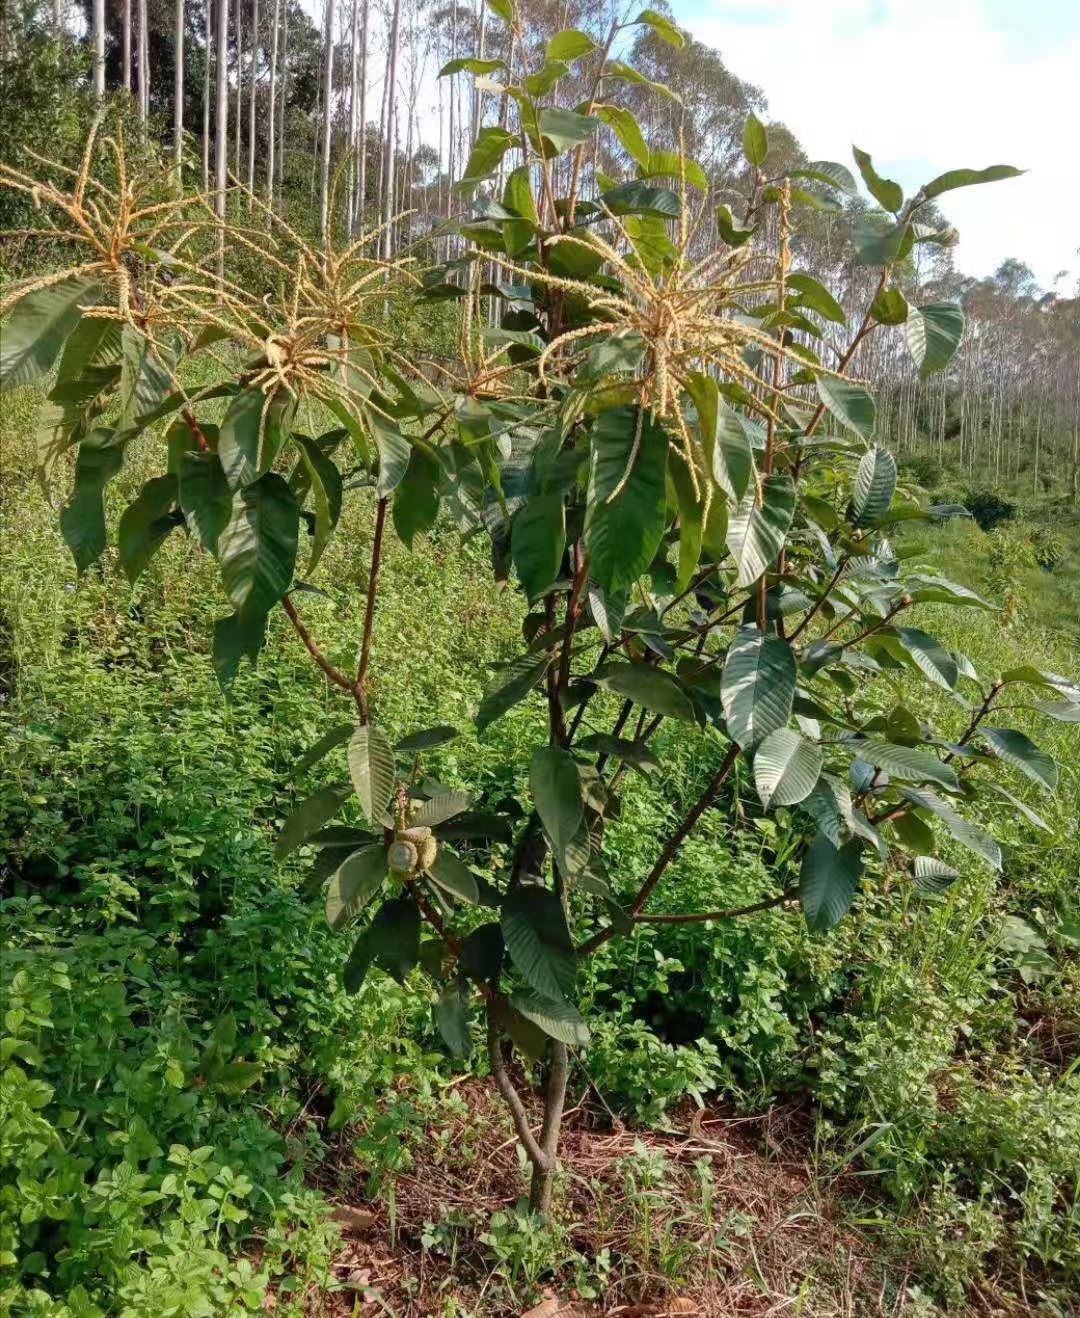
point(181, 1064)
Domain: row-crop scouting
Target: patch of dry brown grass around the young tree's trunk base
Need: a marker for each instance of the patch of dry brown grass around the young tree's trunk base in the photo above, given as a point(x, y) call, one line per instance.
point(772, 1242)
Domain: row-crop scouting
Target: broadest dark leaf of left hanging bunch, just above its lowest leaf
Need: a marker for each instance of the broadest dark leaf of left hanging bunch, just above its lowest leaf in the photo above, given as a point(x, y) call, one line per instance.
point(258, 549)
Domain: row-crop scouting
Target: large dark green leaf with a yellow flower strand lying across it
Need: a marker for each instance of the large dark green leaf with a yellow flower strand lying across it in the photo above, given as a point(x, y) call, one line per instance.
point(627, 508)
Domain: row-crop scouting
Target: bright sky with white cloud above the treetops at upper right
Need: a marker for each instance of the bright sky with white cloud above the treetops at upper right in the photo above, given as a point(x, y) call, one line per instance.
point(928, 86)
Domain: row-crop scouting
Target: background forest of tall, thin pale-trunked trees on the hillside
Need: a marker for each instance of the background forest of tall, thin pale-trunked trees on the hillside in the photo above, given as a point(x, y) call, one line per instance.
point(301, 115)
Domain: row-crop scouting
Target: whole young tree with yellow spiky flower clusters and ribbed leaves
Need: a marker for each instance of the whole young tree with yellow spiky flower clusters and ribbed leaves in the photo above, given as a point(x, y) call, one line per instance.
point(696, 507)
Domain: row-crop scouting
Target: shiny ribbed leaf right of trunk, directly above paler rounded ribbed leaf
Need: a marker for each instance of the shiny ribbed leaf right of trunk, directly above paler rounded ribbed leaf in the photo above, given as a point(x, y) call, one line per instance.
point(759, 686)
